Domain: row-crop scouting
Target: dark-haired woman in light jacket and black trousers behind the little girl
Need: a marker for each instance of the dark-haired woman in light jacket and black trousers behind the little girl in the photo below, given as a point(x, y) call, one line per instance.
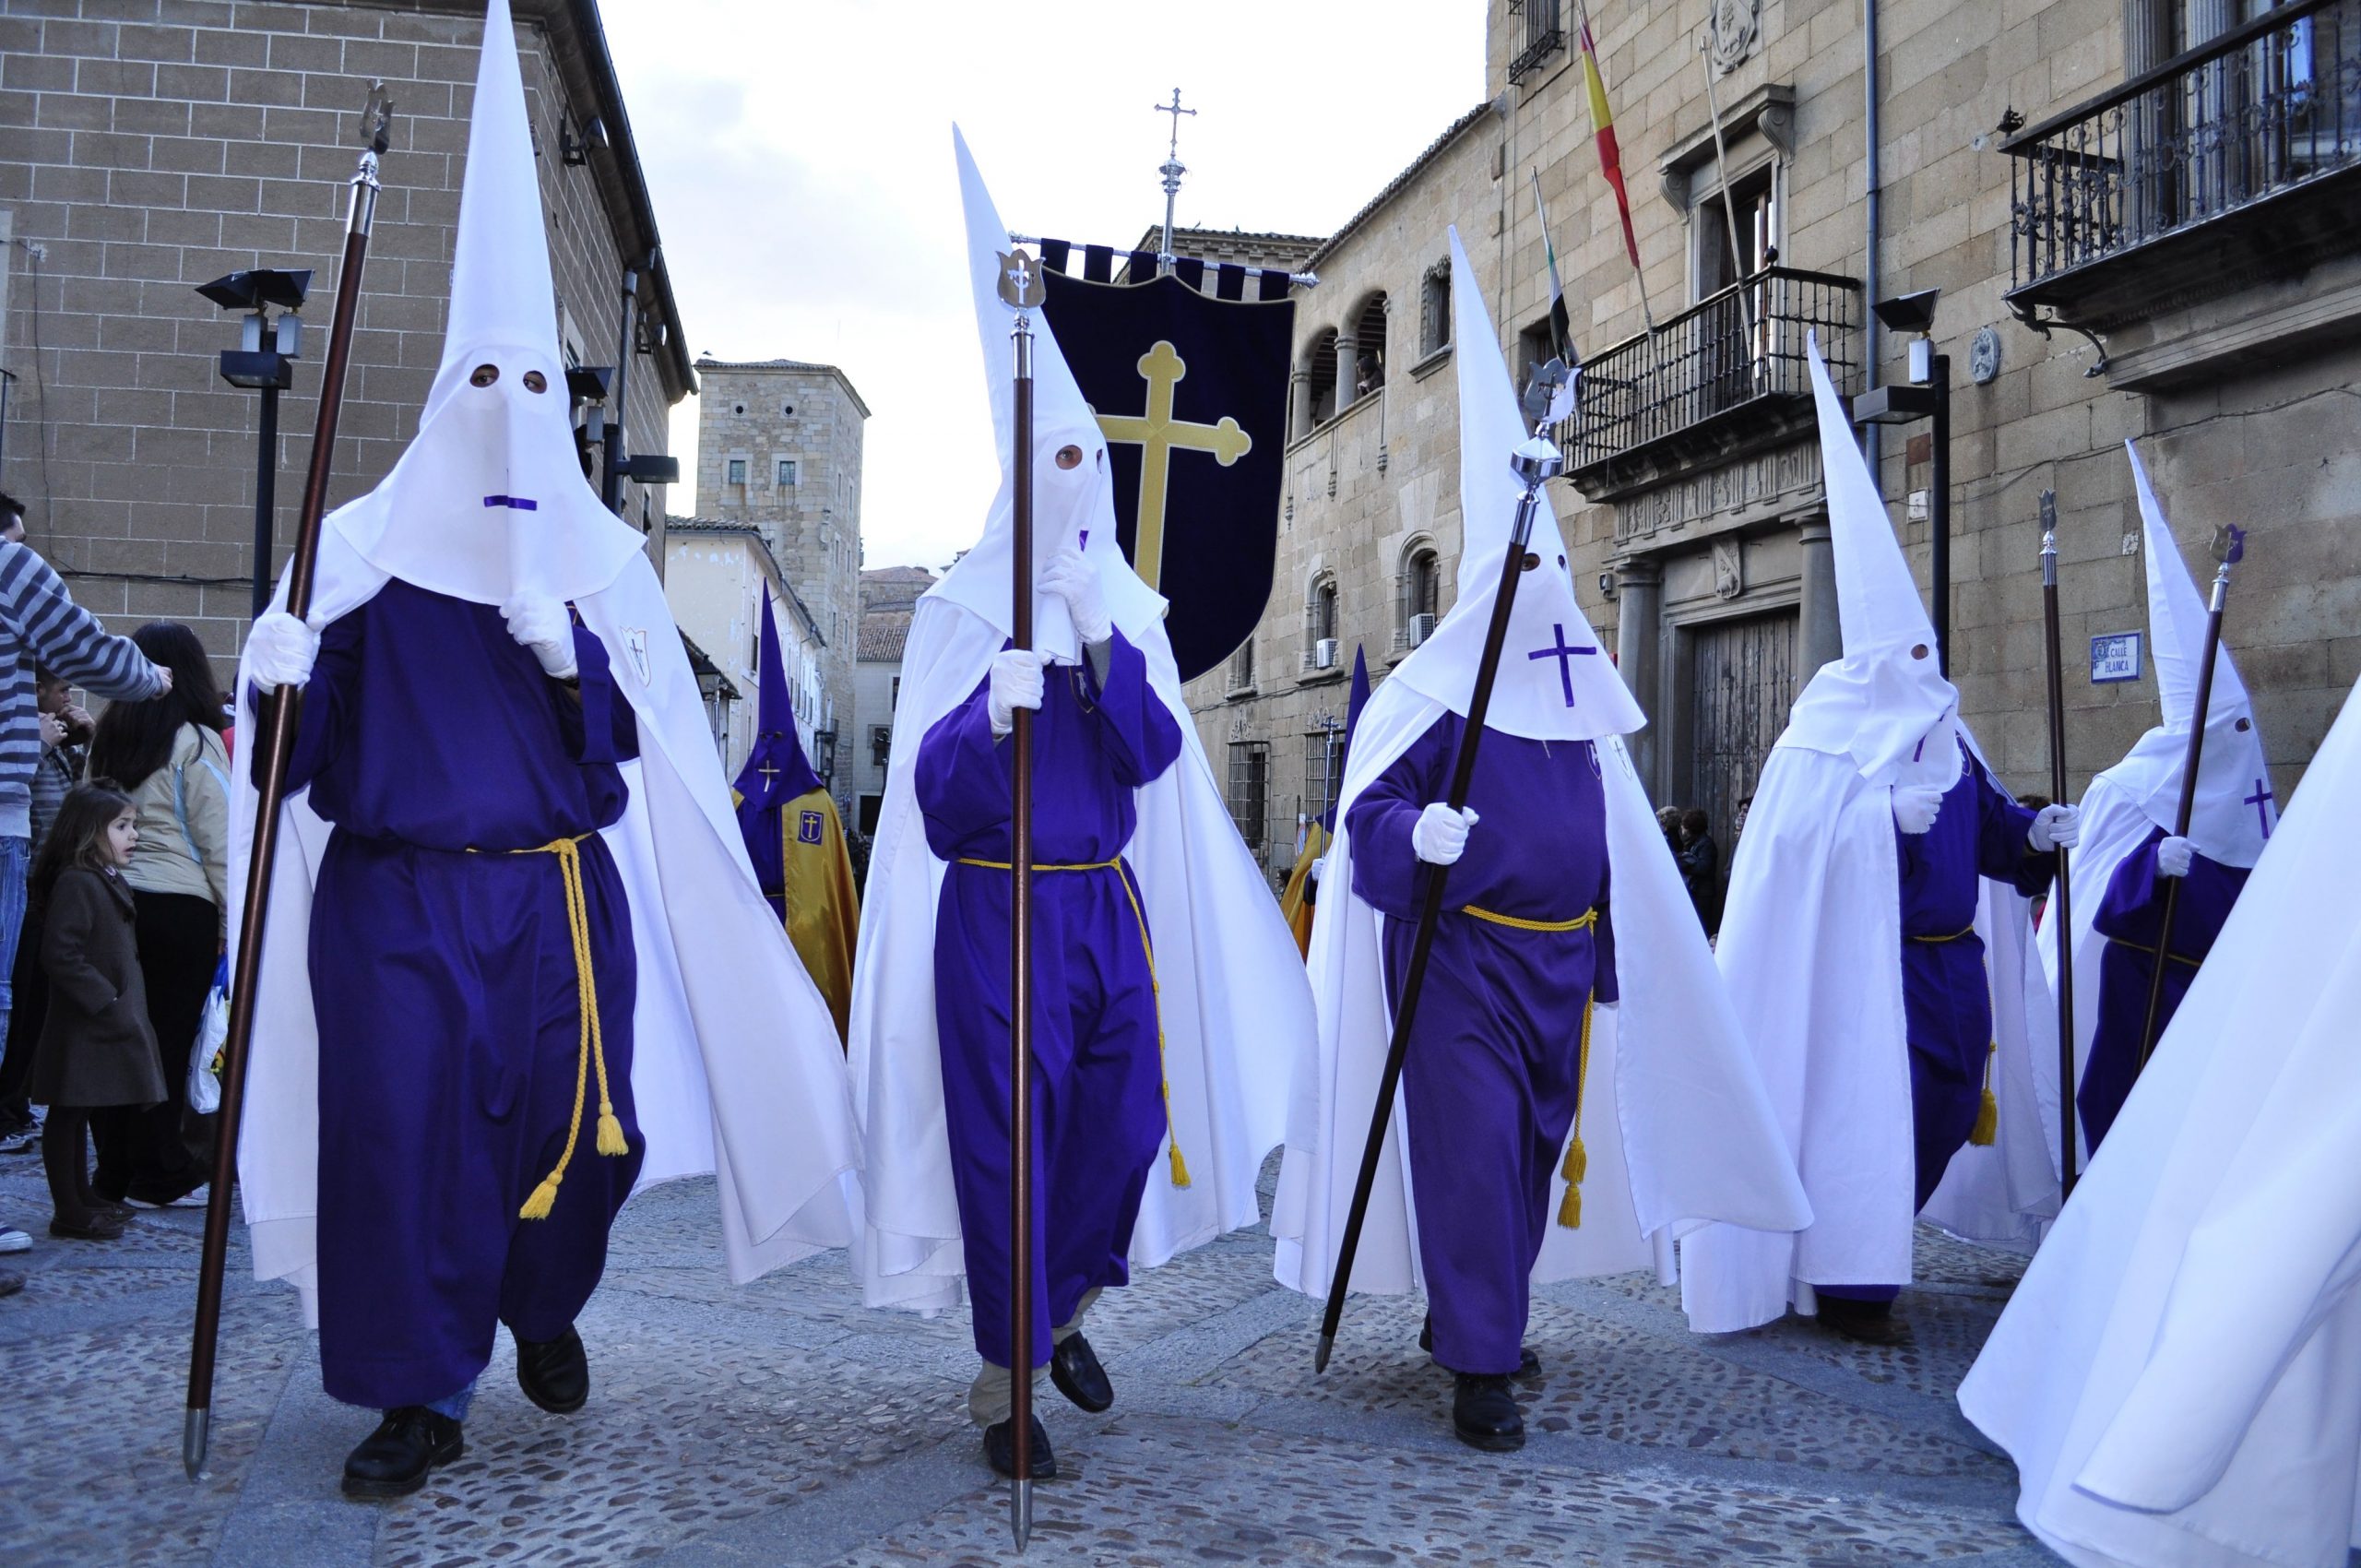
point(169, 757)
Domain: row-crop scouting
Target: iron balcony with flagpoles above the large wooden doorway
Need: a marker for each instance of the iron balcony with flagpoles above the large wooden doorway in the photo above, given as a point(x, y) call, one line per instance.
point(1720, 381)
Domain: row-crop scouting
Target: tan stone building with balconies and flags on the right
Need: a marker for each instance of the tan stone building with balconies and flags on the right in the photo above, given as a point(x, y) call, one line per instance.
point(2157, 183)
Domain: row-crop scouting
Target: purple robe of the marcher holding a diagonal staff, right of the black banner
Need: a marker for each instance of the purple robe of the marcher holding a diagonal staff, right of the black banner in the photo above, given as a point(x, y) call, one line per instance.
point(1493, 1071)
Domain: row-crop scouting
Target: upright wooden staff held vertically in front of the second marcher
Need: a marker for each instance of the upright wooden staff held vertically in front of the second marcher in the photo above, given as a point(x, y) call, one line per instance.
point(1021, 289)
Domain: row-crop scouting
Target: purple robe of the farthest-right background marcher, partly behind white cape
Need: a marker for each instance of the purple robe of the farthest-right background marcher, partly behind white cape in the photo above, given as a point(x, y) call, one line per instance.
point(2131, 920)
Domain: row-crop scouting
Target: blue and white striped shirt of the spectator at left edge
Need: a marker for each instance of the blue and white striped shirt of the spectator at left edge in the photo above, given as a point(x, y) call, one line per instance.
point(41, 625)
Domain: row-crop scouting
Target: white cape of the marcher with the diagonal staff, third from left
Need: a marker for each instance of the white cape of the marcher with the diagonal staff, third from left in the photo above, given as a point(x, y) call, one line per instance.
point(1673, 1116)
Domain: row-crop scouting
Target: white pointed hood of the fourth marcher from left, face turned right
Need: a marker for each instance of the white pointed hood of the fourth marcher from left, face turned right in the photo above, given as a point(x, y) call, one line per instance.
point(1885, 705)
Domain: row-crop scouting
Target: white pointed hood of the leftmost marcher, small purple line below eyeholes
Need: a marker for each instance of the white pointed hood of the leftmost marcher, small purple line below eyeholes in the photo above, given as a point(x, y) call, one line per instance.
point(490, 497)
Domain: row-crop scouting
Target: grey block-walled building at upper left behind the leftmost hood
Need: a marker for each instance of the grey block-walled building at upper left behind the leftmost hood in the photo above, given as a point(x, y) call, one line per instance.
point(155, 145)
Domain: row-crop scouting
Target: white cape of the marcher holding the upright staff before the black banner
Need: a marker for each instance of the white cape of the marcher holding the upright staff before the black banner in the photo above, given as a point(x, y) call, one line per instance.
point(1229, 986)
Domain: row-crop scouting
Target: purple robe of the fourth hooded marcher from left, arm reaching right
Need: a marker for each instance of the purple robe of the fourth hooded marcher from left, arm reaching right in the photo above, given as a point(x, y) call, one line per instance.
point(1947, 993)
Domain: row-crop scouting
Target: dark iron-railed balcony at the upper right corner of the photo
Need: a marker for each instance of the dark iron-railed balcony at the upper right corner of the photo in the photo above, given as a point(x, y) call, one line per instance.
point(2232, 162)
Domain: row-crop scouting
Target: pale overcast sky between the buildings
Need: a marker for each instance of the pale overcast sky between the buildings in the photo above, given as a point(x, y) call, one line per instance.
point(802, 166)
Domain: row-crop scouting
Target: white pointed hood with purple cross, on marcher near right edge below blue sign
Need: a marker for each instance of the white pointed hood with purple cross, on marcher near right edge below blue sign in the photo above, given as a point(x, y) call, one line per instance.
point(2230, 823)
